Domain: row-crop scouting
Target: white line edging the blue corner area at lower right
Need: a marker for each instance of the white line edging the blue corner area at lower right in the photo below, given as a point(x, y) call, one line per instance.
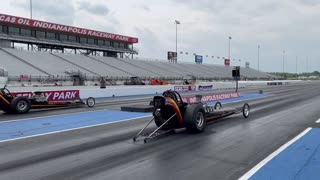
point(271, 156)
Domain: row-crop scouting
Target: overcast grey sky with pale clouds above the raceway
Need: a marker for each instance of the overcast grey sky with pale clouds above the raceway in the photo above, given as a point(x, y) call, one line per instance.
point(290, 25)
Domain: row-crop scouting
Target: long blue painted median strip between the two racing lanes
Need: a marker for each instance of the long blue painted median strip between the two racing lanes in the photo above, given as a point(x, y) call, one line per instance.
point(32, 127)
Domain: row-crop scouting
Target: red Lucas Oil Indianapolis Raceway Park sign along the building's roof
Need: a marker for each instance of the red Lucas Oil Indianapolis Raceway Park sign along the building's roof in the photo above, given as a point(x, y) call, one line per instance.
point(62, 28)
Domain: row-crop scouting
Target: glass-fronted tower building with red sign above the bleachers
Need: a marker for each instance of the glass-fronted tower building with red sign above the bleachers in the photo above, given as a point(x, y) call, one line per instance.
point(50, 36)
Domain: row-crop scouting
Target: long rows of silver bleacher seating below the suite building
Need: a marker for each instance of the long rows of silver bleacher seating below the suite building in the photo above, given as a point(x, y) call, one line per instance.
point(37, 63)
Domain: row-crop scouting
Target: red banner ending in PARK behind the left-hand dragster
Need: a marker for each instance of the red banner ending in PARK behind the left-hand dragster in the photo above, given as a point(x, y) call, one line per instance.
point(65, 95)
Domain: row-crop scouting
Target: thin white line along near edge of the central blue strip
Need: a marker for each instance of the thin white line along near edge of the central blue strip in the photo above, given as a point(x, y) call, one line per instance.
point(55, 132)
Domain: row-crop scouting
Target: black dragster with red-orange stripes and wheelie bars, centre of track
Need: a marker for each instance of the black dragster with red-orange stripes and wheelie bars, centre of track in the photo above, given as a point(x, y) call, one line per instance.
point(171, 113)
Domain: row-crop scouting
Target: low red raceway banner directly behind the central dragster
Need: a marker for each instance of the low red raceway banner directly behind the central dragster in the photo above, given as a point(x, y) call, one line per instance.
point(212, 97)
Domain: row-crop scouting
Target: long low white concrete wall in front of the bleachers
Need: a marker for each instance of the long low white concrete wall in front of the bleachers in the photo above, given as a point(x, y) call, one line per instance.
point(117, 91)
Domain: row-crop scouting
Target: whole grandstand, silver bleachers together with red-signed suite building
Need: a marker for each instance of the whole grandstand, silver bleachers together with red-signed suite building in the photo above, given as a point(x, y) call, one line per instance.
point(78, 56)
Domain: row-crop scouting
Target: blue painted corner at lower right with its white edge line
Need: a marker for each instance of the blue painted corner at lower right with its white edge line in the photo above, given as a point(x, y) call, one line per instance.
point(297, 159)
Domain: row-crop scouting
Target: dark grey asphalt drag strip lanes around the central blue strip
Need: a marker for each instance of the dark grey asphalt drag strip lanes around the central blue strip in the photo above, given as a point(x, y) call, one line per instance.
point(226, 150)
